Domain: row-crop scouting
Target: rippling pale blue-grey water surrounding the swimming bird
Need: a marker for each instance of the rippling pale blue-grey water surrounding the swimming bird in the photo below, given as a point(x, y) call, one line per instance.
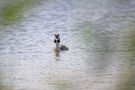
point(95, 32)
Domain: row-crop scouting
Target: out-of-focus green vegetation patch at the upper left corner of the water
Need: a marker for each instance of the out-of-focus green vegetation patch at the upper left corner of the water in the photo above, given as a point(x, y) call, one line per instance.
point(14, 10)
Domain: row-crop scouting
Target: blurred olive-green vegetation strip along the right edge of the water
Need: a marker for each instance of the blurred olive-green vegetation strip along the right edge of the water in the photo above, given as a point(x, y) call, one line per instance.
point(130, 42)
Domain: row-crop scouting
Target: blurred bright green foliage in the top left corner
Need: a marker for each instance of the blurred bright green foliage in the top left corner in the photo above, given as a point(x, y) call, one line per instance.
point(14, 11)
